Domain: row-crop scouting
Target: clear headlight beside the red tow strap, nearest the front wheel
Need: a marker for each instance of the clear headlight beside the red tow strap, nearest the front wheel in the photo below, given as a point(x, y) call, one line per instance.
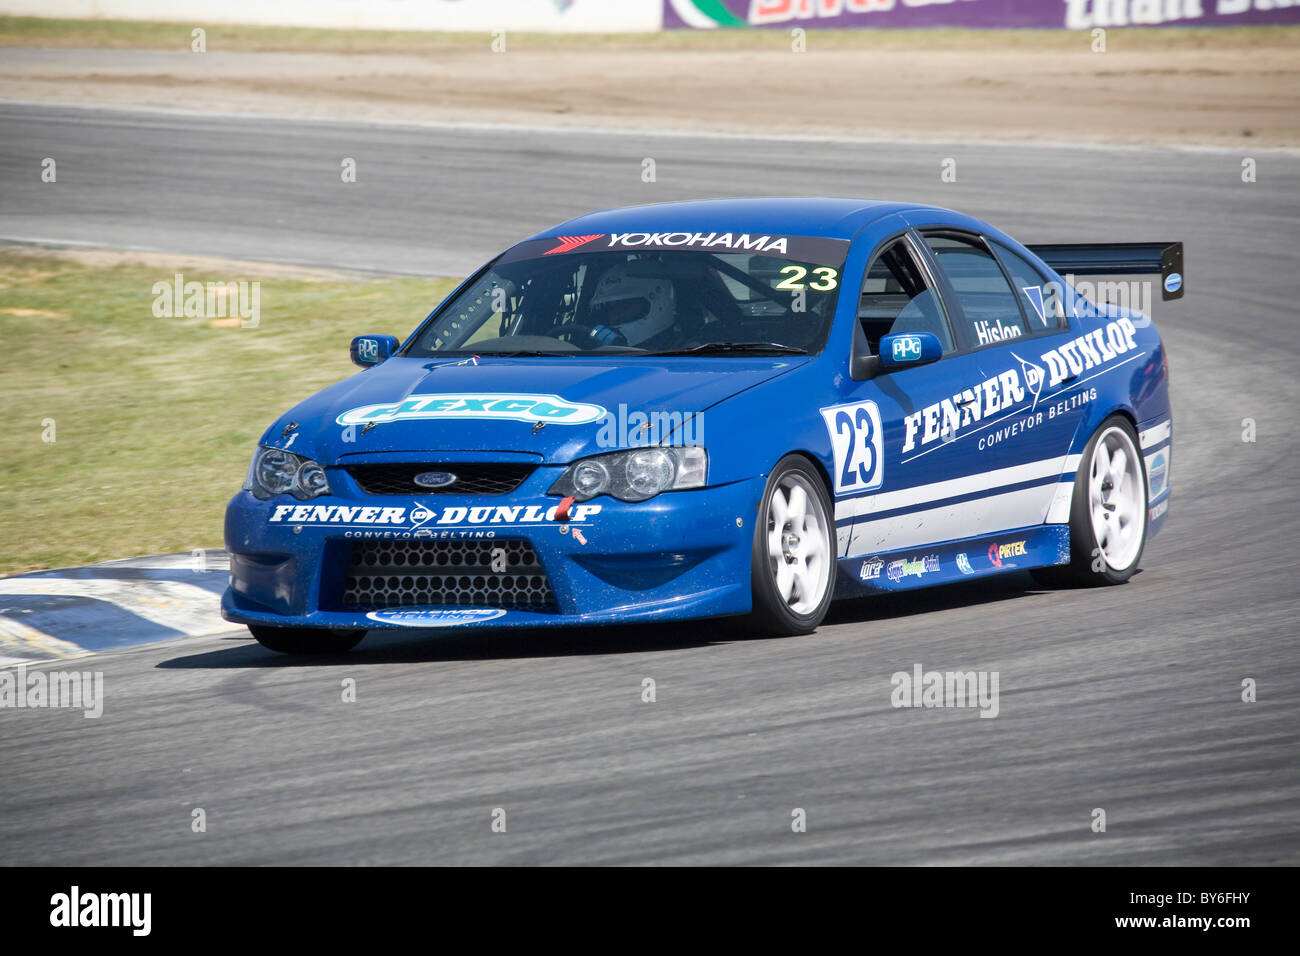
point(635, 475)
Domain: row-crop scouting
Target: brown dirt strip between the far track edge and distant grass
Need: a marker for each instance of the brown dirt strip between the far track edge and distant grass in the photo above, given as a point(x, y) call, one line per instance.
point(1199, 88)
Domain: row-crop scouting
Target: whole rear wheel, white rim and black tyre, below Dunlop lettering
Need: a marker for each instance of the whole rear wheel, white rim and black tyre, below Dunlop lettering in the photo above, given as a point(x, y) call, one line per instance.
point(1108, 516)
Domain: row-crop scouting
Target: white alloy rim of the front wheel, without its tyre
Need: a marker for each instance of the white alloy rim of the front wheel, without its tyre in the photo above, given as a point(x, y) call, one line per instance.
point(799, 543)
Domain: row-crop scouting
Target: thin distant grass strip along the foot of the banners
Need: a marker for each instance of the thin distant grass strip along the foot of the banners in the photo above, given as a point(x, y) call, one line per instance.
point(119, 34)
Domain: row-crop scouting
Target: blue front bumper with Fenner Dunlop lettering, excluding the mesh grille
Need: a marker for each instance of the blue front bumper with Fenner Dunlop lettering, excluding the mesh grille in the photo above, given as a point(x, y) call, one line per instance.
point(682, 555)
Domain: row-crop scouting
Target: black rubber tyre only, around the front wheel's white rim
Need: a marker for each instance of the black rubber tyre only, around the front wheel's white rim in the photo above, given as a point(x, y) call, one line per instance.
point(773, 612)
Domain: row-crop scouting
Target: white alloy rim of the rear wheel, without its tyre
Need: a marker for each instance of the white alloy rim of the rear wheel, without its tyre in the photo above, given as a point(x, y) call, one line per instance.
point(1117, 499)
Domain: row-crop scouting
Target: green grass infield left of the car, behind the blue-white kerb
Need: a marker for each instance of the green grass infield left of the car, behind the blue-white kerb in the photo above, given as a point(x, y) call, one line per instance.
point(155, 419)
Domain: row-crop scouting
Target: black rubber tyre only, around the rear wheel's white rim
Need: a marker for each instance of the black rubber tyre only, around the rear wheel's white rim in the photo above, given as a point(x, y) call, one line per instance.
point(1089, 565)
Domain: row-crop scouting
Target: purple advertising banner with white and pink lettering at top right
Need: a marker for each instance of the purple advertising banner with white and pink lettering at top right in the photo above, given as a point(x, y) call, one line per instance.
point(1071, 15)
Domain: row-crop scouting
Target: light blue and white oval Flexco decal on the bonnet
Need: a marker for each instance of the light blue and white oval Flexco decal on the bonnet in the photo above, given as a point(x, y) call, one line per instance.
point(532, 409)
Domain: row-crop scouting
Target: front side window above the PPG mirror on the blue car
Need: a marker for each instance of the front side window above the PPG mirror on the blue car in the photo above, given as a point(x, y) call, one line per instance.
point(898, 299)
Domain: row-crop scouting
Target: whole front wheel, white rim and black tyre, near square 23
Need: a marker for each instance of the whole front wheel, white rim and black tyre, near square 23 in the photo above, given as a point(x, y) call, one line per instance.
point(794, 557)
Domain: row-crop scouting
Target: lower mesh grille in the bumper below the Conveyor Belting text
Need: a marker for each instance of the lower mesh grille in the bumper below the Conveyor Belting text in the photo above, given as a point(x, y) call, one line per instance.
point(479, 574)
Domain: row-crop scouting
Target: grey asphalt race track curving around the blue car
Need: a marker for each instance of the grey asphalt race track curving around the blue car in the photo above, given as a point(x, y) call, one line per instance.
point(1126, 699)
